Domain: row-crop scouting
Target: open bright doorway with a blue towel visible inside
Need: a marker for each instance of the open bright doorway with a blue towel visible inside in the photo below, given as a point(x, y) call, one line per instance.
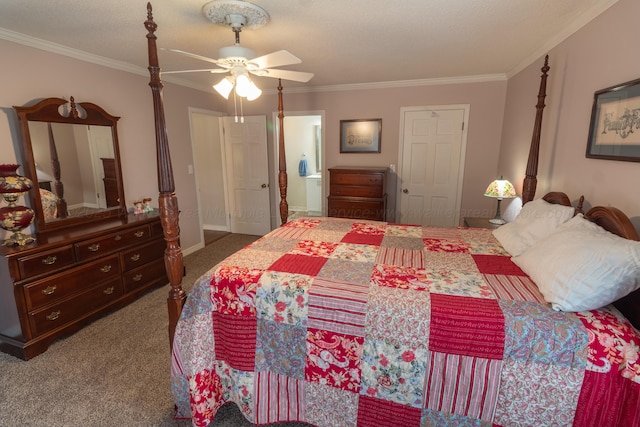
point(303, 139)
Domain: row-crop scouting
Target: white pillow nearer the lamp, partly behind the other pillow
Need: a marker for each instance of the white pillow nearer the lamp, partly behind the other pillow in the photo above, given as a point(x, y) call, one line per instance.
point(536, 220)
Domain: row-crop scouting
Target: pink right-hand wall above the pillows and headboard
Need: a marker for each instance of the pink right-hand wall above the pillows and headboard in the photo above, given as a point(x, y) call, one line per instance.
point(602, 54)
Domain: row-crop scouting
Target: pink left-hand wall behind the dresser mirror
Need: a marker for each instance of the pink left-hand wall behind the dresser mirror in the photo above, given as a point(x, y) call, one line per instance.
point(29, 74)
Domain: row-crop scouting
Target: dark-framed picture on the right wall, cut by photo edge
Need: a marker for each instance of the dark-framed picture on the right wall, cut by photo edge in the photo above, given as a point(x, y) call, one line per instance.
point(614, 131)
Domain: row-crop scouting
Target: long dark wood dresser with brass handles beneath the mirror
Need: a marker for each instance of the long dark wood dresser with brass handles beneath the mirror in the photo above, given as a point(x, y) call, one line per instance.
point(52, 288)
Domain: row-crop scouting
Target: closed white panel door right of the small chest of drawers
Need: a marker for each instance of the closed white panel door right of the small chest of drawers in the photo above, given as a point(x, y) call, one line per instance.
point(432, 144)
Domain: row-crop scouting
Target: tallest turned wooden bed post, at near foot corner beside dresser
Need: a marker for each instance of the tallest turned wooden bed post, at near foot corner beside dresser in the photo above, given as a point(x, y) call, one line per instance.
point(167, 200)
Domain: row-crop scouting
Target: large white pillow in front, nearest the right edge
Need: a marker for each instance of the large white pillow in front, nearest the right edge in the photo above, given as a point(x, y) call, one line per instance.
point(582, 266)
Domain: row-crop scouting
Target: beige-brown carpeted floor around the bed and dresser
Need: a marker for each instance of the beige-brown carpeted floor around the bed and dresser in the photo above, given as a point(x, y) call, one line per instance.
point(115, 371)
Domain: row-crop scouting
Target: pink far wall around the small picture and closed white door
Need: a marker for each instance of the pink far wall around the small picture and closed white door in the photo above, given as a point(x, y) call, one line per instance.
point(486, 101)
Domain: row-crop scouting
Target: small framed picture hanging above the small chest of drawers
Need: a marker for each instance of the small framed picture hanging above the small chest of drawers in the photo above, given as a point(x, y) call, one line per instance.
point(360, 136)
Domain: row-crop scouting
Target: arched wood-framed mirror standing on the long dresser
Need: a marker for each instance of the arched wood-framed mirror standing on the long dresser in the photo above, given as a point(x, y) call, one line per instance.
point(71, 151)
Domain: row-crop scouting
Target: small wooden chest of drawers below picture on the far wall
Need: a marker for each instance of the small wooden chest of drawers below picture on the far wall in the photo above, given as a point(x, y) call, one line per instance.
point(358, 192)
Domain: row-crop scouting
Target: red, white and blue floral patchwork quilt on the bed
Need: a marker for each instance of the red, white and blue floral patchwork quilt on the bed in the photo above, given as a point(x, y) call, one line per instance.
point(339, 322)
